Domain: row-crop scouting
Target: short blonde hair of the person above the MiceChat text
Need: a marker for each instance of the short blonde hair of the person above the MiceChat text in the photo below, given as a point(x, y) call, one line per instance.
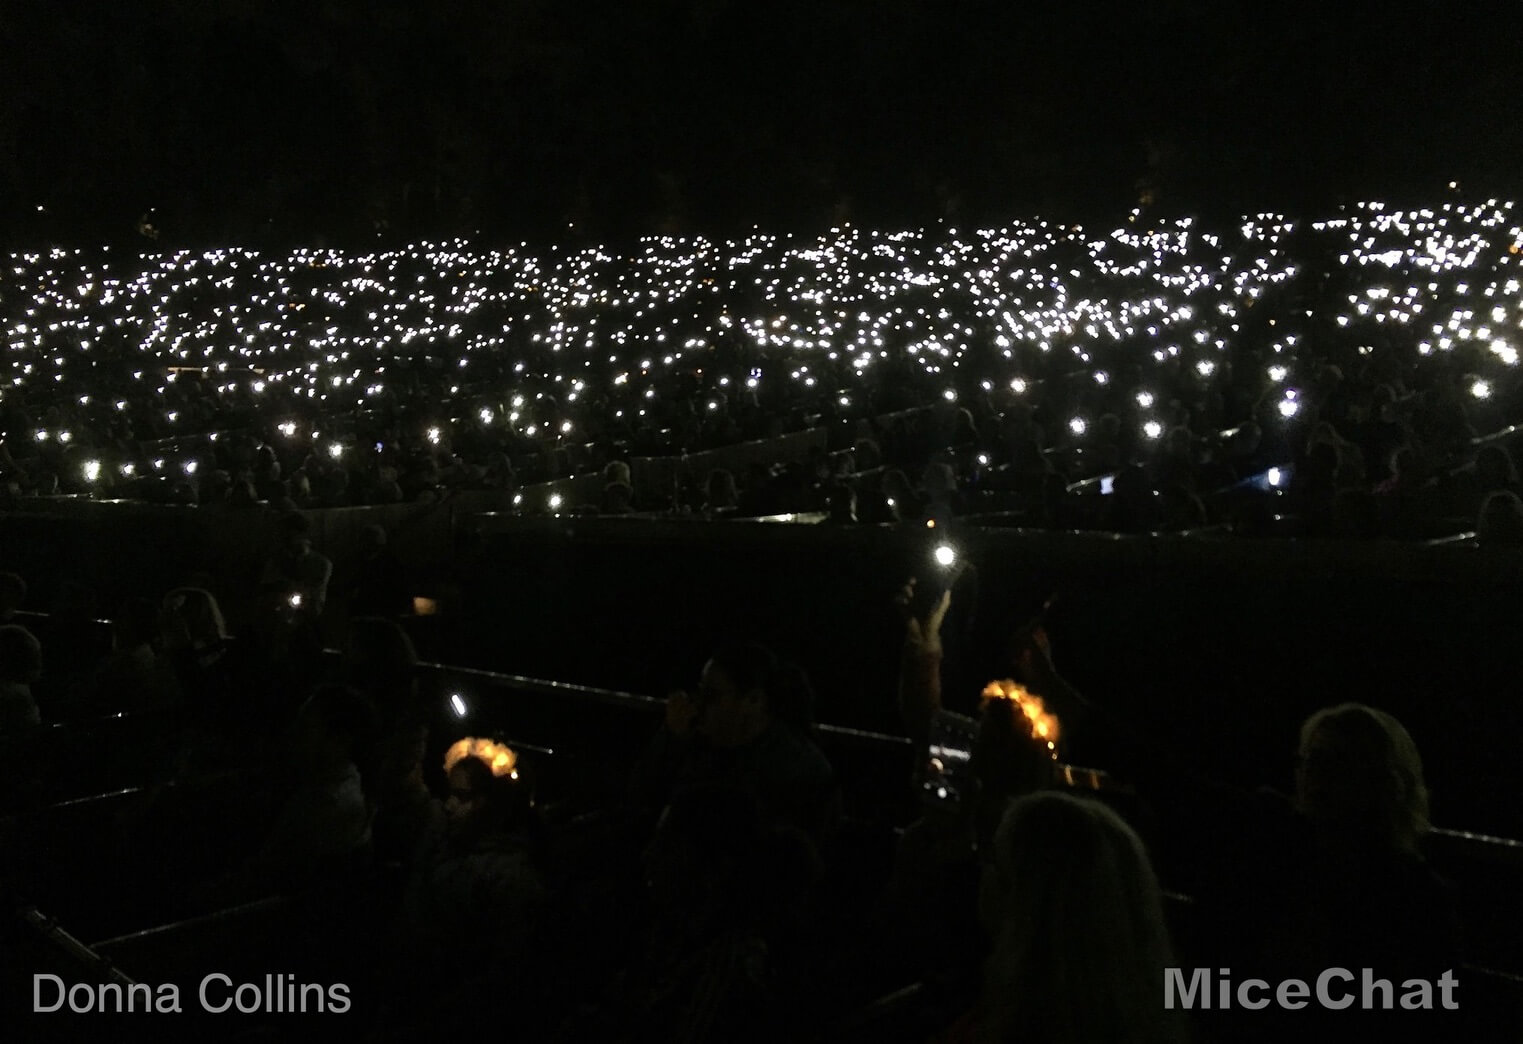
point(1379, 773)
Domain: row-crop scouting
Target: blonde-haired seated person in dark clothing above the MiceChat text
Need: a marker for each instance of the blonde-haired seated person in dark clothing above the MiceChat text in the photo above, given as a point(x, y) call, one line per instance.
point(1336, 880)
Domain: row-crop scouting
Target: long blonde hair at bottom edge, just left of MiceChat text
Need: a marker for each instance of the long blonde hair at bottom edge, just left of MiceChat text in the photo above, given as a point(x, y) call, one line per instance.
point(1078, 924)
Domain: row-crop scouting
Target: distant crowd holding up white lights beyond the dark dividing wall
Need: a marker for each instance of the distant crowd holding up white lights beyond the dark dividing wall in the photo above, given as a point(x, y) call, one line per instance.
point(1359, 357)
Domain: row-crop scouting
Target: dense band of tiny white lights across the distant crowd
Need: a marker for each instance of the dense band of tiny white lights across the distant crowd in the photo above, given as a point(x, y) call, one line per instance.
point(557, 345)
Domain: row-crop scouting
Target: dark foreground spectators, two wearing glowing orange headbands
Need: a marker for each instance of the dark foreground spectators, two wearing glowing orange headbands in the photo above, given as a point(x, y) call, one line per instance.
point(727, 892)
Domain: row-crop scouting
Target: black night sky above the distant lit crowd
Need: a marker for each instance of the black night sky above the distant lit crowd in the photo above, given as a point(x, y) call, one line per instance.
point(302, 120)
